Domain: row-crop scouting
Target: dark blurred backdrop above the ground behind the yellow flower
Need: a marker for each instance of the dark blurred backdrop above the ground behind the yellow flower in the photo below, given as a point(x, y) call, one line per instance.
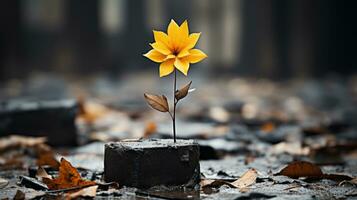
point(275, 39)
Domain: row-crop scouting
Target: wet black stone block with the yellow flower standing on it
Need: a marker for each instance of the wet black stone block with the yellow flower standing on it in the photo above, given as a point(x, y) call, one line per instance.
point(148, 163)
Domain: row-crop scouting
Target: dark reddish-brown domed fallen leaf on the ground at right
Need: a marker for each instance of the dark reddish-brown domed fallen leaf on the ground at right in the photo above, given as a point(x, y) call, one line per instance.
point(299, 169)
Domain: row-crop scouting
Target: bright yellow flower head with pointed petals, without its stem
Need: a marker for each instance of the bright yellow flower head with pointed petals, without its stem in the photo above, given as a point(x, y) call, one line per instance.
point(175, 49)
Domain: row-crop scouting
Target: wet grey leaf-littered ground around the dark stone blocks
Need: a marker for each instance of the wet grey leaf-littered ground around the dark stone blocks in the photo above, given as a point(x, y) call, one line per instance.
point(239, 124)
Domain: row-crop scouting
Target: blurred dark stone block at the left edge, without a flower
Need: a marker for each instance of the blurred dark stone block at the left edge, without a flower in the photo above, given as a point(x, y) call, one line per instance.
point(52, 119)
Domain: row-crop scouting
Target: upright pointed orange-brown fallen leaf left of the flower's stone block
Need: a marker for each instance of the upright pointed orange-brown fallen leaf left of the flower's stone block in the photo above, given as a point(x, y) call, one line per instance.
point(68, 177)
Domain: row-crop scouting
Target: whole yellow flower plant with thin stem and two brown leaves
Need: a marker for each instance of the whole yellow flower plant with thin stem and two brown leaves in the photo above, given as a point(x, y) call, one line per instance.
point(175, 51)
